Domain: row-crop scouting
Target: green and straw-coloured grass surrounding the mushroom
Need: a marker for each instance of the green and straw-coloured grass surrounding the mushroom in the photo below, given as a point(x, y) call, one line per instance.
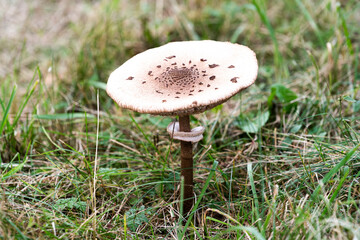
point(279, 161)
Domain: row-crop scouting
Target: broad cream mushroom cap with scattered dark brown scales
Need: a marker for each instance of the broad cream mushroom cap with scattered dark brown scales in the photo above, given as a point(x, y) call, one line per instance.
point(183, 78)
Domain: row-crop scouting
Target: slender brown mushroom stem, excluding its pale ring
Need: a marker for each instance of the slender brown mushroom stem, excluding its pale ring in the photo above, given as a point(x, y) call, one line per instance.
point(186, 165)
